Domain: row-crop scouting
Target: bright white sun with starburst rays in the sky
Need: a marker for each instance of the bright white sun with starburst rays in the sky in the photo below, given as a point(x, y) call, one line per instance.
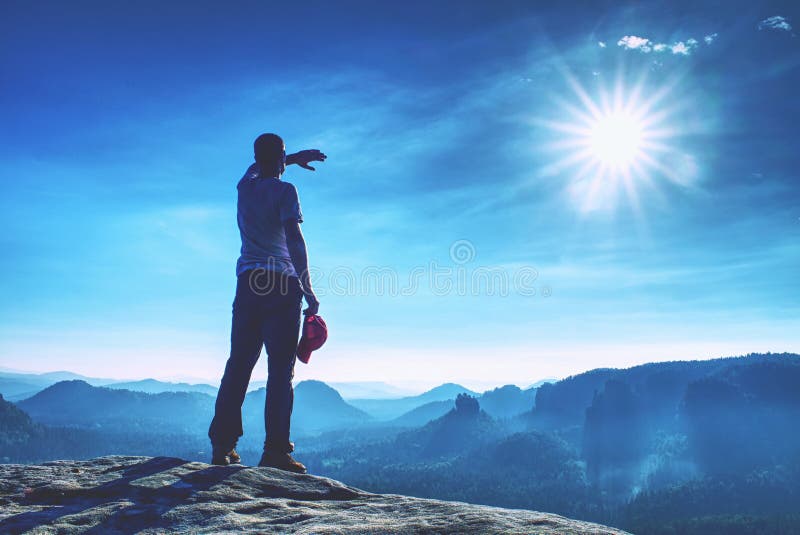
point(613, 144)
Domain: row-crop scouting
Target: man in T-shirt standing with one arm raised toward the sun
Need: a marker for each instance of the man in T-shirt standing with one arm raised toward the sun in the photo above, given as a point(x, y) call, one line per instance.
point(272, 278)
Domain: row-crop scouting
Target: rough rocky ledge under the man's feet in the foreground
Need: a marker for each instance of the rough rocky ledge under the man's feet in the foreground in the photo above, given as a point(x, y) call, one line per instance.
point(123, 494)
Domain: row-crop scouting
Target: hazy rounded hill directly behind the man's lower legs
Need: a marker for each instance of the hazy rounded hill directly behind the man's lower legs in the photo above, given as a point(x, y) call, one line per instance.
point(317, 407)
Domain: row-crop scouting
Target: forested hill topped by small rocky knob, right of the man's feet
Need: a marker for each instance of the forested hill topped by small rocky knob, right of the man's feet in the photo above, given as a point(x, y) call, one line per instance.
point(465, 455)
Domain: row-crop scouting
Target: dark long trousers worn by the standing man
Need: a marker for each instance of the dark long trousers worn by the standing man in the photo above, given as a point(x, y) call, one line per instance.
point(266, 310)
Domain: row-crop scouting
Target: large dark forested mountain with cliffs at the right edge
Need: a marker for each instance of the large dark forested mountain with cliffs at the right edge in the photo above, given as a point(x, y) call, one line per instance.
point(664, 424)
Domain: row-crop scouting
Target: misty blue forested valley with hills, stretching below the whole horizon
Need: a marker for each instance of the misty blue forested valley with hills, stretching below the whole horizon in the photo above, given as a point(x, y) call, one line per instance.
point(689, 447)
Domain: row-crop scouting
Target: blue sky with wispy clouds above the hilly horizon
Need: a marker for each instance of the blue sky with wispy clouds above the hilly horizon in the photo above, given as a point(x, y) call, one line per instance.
point(126, 128)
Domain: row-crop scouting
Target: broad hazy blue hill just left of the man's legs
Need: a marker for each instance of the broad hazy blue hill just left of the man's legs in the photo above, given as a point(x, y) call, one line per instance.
point(77, 403)
